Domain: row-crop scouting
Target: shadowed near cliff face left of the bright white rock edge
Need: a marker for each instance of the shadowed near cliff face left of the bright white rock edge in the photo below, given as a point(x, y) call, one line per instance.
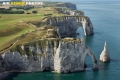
point(40, 60)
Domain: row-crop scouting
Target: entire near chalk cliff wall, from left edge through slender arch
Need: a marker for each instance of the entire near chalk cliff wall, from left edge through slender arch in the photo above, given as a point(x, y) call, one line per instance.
point(65, 55)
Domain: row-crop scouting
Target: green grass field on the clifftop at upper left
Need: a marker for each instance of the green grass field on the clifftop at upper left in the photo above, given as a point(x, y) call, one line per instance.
point(14, 25)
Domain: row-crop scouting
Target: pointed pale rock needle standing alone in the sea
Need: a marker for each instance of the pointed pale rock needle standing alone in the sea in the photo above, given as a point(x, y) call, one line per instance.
point(104, 57)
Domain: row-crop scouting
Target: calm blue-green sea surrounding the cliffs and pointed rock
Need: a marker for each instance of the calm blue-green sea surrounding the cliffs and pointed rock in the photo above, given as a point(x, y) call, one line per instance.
point(105, 17)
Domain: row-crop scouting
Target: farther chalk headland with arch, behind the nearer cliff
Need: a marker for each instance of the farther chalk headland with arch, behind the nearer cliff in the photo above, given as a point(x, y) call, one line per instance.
point(69, 24)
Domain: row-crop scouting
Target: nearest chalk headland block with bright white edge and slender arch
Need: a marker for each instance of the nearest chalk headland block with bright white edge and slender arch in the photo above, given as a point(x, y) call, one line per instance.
point(72, 59)
